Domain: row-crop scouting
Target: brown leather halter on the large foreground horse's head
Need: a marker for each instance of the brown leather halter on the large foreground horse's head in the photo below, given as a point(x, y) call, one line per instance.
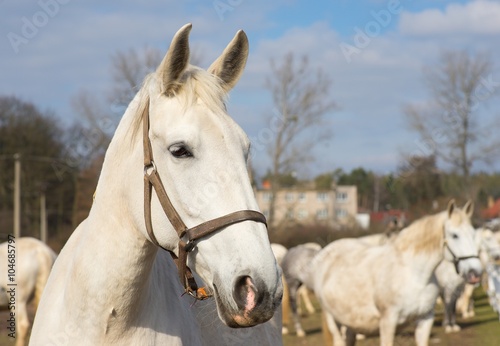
point(152, 180)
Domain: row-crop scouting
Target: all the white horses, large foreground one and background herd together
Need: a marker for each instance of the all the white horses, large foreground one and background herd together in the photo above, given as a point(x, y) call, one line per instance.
point(113, 283)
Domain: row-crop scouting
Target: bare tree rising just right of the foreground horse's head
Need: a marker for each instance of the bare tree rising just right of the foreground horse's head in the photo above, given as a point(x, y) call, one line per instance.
point(301, 98)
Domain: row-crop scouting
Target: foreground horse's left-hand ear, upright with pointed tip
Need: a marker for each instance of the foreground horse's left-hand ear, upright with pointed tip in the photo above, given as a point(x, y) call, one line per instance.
point(175, 61)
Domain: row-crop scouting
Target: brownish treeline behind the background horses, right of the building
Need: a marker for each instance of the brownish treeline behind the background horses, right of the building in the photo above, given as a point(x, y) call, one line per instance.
point(417, 186)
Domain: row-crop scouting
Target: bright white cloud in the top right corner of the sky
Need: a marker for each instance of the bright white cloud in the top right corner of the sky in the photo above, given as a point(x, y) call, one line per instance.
point(476, 17)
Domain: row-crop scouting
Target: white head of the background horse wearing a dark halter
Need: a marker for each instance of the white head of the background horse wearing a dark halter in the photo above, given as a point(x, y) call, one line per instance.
point(460, 244)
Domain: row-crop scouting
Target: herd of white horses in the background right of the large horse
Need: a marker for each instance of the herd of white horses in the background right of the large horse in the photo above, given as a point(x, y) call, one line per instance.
point(377, 284)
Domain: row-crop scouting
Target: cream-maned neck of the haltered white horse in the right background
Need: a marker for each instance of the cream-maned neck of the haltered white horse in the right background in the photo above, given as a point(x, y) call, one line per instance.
point(421, 244)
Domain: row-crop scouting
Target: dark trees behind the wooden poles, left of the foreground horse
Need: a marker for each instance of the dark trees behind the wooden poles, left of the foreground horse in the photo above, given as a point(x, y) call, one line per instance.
point(54, 158)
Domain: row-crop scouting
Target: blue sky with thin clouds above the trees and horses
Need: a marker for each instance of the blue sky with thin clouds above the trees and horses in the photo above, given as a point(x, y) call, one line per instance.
point(73, 40)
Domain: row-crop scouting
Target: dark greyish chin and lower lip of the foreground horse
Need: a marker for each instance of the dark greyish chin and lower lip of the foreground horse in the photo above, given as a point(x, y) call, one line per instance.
point(240, 319)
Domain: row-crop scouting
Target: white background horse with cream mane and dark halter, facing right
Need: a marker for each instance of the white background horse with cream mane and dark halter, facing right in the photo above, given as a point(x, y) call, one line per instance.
point(372, 289)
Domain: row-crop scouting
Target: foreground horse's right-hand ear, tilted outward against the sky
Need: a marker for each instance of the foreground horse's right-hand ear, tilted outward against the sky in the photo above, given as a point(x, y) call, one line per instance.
point(229, 66)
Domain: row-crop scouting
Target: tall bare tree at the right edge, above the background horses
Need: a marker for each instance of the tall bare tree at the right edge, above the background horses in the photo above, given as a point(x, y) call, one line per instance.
point(449, 125)
